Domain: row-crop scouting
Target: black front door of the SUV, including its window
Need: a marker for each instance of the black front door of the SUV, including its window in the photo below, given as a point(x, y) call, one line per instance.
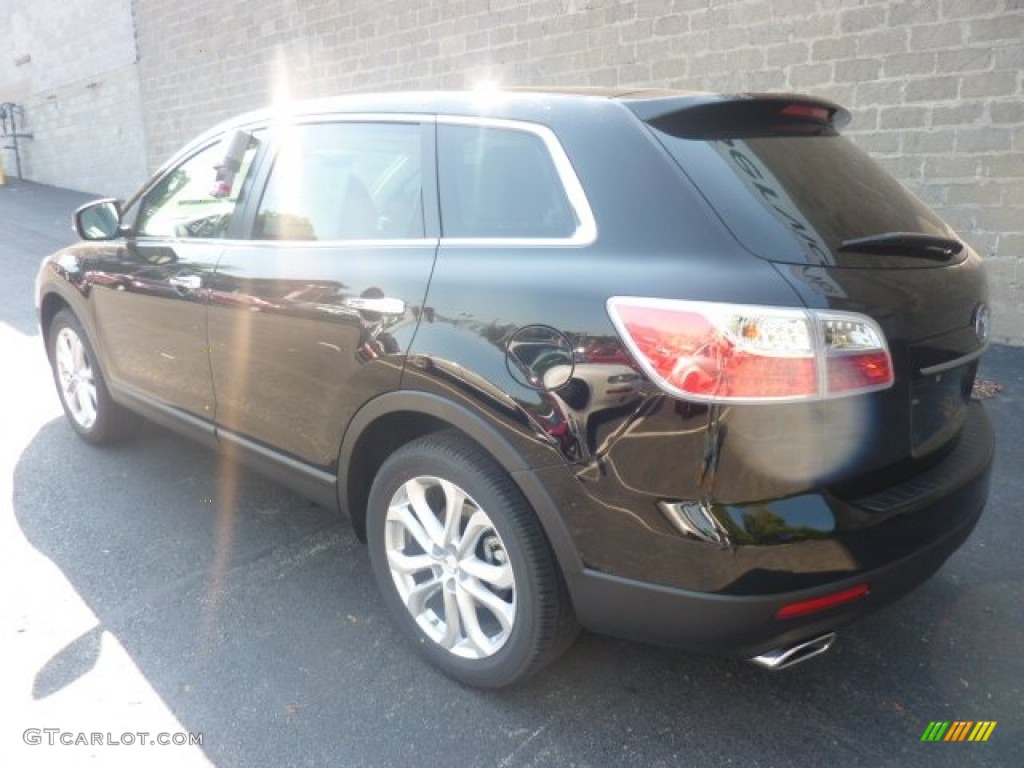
point(152, 302)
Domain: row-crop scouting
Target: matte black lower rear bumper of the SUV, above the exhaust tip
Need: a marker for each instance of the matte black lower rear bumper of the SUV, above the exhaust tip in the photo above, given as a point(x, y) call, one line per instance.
point(894, 557)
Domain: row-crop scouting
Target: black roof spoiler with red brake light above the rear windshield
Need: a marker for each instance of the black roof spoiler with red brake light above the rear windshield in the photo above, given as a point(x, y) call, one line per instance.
point(741, 116)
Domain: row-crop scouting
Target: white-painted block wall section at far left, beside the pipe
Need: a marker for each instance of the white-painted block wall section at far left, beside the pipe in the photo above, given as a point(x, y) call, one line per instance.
point(72, 67)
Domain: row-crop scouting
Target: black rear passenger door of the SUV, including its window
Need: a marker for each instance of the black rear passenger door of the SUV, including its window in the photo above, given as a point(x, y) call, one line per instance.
point(312, 316)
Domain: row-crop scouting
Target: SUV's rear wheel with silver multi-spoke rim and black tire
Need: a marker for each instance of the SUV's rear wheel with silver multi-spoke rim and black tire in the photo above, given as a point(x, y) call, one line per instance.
point(542, 626)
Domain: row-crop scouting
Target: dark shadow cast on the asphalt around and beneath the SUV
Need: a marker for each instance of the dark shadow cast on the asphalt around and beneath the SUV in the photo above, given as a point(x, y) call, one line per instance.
point(262, 628)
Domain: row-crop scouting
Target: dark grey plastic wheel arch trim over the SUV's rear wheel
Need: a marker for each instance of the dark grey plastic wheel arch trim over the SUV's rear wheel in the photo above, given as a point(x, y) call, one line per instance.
point(394, 419)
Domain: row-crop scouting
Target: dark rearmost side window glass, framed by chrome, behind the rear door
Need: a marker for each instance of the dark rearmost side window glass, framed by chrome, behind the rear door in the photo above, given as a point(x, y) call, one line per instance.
point(500, 183)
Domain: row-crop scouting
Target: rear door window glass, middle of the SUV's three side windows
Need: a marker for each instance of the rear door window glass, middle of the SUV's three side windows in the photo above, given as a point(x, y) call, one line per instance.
point(346, 182)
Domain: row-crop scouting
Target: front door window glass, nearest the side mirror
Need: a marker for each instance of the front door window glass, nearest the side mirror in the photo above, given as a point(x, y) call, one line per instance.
point(196, 200)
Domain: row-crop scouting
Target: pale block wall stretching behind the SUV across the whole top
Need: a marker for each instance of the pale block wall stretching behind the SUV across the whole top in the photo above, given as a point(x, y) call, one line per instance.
point(936, 88)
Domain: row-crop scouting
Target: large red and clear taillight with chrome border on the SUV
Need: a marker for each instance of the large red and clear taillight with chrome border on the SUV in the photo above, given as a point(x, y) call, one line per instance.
point(736, 353)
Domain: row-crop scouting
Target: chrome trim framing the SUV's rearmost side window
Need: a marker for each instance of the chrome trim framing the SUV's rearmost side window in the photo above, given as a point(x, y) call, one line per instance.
point(586, 232)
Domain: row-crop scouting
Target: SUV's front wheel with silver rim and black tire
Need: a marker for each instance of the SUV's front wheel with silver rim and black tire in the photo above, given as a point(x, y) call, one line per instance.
point(87, 402)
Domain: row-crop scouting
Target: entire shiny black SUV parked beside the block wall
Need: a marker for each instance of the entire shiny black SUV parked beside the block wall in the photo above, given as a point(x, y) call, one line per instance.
point(678, 367)
